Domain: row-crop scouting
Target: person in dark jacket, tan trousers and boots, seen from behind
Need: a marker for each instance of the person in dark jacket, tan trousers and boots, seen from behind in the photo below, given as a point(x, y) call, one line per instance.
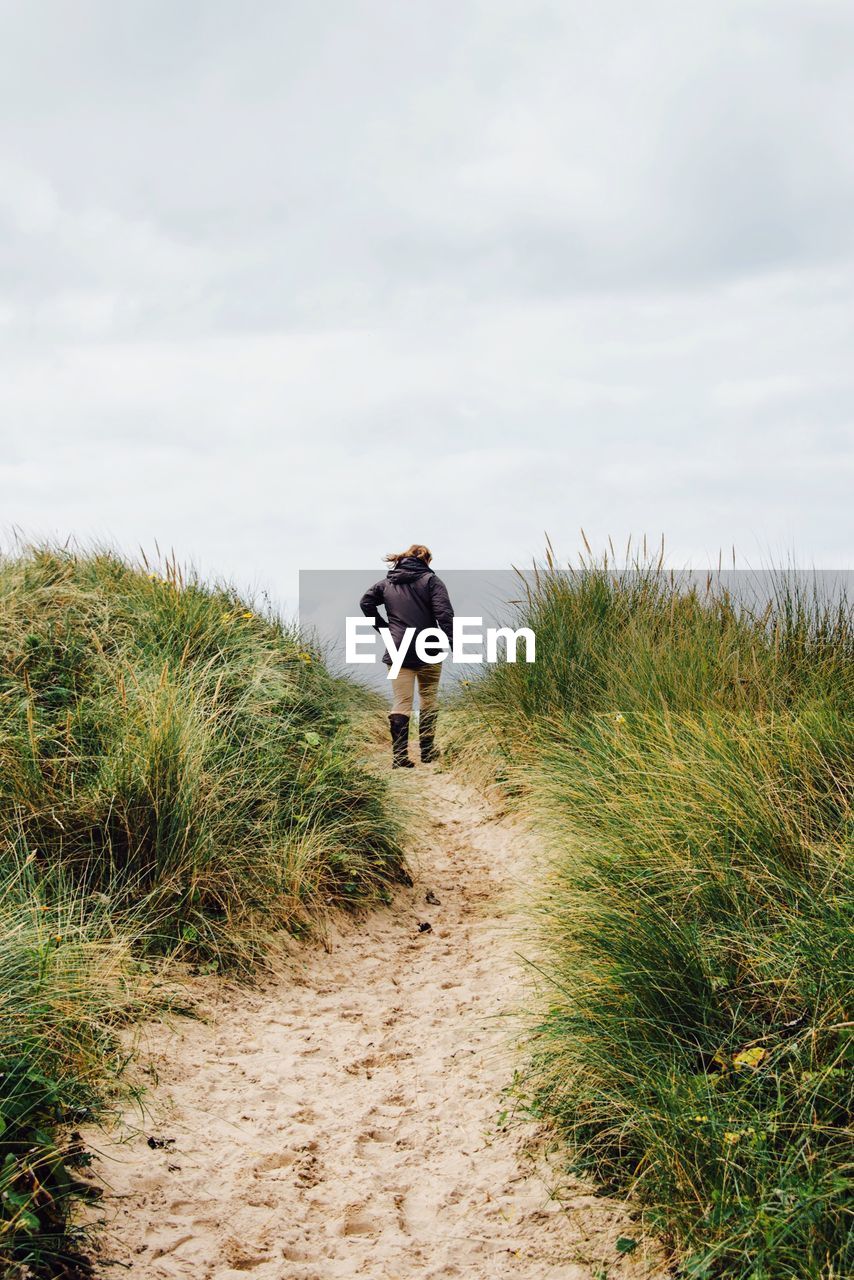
point(413, 597)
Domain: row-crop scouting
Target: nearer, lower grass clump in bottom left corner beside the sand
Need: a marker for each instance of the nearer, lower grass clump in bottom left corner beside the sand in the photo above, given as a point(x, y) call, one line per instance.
point(67, 981)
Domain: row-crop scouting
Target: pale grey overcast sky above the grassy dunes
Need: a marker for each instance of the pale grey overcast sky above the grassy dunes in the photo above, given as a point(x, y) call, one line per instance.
point(289, 285)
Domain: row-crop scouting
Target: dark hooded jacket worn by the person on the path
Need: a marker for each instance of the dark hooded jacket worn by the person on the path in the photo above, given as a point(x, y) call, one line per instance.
point(413, 597)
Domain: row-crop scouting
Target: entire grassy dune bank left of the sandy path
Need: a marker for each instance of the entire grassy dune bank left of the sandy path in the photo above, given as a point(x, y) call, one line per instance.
point(179, 775)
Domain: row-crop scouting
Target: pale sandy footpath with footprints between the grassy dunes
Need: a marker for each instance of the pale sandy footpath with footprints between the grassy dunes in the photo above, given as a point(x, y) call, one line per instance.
point(344, 1118)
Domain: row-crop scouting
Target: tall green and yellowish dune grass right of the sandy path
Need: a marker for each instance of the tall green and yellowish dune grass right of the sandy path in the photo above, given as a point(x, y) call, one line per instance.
point(693, 764)
